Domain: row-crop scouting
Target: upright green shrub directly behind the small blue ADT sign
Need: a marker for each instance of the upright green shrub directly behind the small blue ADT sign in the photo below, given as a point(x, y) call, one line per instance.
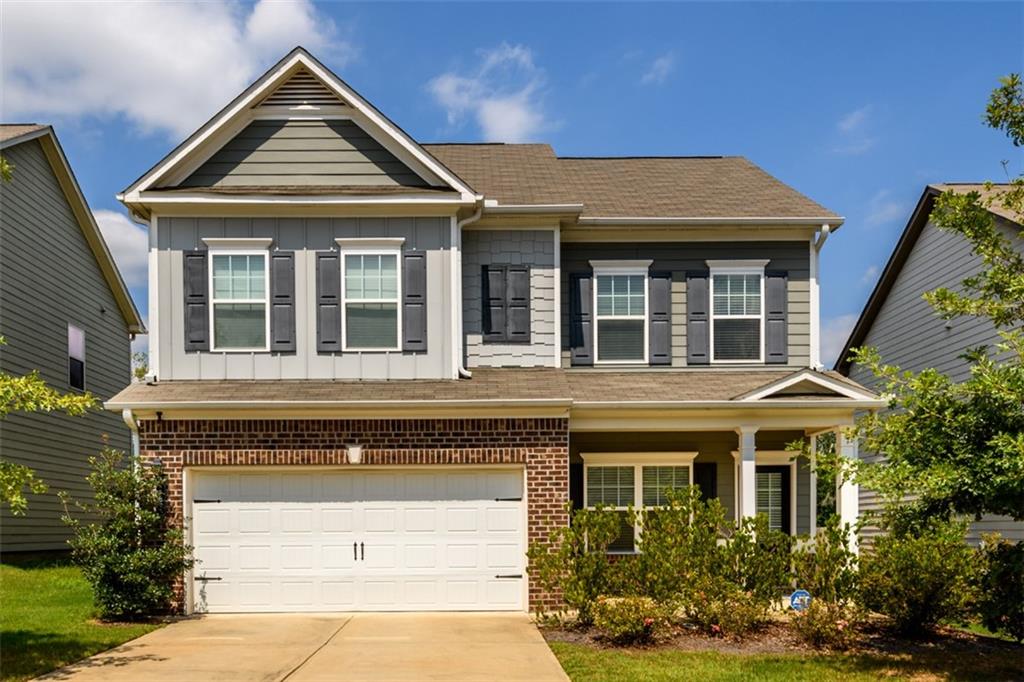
point(826, 567)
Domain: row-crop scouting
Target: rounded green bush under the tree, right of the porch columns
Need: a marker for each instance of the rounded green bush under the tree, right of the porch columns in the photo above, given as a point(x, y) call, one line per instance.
point(920, 579)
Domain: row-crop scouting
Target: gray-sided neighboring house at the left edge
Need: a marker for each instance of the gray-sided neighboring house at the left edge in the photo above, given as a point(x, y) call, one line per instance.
point(64, 312)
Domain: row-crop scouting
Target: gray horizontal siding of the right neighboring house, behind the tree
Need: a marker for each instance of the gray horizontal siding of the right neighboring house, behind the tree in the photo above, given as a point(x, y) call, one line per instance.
point(910, 334)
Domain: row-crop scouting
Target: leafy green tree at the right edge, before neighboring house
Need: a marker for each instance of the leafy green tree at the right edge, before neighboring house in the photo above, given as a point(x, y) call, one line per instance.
point(958, 449)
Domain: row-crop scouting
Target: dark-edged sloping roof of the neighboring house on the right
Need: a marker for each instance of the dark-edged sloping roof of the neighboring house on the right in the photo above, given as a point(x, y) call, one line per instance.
point(919, 219)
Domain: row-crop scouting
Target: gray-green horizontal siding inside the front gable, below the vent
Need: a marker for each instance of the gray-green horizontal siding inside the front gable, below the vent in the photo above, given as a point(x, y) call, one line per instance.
point(303, 154)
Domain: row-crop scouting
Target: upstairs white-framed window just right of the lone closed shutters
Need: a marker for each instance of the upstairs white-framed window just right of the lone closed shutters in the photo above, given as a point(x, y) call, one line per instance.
point(621, 312)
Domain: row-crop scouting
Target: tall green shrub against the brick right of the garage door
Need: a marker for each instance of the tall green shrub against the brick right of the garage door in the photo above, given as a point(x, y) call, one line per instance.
point(574, 562)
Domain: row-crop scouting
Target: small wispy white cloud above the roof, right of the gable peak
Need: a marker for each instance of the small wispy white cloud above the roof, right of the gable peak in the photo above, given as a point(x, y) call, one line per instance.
point(503, 95)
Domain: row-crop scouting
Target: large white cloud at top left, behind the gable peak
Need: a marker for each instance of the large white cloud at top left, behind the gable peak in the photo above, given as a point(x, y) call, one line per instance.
point(164, 67)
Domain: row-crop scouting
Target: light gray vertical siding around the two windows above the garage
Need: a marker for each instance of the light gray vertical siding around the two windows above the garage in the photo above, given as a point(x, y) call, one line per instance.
point(306, 237)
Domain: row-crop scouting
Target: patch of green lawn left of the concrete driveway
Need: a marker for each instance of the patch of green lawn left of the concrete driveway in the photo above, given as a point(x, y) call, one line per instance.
point(48, 621)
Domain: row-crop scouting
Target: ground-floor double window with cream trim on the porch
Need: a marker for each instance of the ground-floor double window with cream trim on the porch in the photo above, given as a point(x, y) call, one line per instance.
point(637, 481)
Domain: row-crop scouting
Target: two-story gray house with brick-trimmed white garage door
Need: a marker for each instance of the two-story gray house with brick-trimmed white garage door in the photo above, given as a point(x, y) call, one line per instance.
point(381, 368)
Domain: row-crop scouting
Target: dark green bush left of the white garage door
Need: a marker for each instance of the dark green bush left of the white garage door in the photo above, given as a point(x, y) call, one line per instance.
point(131, 557)
